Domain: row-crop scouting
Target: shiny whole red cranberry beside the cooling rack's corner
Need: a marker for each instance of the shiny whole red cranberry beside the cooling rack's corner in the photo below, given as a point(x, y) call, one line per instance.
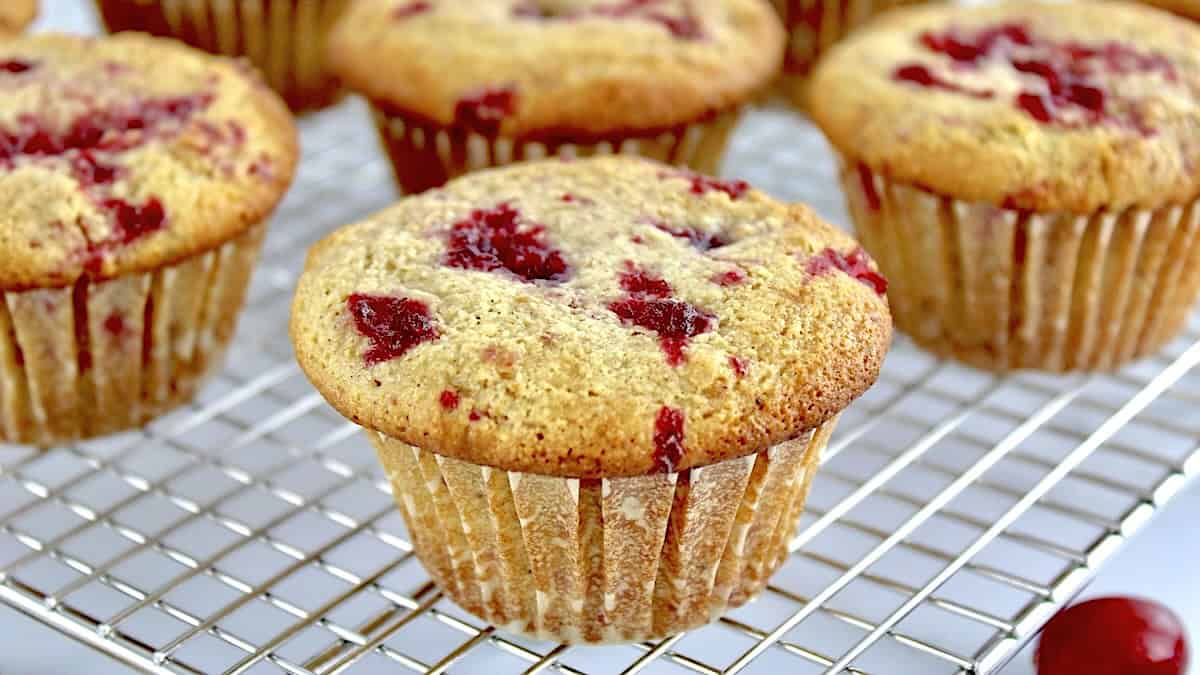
point(1114, 637)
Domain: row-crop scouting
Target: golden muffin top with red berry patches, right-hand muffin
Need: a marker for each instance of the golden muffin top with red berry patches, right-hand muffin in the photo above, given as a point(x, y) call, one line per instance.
point(1053, 107)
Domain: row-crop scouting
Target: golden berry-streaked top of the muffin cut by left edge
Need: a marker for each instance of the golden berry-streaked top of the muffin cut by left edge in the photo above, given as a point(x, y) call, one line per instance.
point(124, 154)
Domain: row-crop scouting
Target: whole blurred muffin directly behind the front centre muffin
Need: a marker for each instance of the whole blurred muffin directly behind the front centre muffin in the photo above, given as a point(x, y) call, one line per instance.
point(481, 83)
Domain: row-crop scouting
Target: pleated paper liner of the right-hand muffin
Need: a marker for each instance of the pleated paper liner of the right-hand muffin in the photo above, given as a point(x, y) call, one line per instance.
point(1001, 289)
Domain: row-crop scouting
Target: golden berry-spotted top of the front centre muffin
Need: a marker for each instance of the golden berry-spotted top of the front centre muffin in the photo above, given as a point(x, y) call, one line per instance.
point(593, 319)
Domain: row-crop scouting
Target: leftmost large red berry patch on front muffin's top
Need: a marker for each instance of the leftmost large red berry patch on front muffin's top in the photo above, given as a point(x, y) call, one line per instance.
point(393, 325)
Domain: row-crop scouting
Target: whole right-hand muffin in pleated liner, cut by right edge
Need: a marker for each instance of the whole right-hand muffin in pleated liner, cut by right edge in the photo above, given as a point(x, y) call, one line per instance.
point(1027, 176)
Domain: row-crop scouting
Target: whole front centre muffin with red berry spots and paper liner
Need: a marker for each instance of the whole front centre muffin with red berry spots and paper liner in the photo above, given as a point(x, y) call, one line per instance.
point(599, 389)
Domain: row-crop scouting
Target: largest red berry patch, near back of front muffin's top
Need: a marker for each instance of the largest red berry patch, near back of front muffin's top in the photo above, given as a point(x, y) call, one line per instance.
point(493, 240)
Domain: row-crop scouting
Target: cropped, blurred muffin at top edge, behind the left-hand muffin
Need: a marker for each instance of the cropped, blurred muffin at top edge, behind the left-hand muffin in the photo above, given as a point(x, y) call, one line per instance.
point(284, 39)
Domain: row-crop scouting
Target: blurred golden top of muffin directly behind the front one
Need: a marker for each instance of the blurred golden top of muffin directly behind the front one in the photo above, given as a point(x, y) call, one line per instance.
point(568, 68)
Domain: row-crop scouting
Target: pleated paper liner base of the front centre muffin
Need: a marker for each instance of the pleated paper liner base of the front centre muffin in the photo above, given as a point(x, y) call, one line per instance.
point(614, 560)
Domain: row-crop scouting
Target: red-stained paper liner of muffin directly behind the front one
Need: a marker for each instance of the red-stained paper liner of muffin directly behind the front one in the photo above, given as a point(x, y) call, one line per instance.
point(425, 154)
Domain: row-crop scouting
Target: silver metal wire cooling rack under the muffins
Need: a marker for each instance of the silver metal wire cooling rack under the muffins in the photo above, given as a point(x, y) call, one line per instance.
point(254, 531)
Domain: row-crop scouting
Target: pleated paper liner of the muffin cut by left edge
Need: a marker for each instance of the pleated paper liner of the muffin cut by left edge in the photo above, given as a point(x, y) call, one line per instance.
point(103, 357)
